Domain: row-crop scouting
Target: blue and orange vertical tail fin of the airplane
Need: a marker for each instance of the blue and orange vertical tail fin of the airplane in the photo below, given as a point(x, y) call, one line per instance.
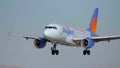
point(93, 23)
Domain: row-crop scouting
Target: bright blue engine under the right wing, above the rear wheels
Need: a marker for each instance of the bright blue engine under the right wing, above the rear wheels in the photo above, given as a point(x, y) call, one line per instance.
point(88, 43)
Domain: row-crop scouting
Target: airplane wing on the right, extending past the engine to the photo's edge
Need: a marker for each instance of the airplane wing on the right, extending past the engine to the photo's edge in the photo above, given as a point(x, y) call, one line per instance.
point(99, 39)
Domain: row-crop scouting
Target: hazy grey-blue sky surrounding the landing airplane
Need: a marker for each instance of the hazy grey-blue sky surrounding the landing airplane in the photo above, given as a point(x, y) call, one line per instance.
point(29, 17)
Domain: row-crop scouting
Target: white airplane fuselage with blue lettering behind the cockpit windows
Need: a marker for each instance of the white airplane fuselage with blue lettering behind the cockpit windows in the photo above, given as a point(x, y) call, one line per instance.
point(64, 35)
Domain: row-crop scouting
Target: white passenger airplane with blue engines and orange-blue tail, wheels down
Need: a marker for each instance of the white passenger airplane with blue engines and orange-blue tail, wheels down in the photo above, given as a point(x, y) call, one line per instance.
point(74, 37)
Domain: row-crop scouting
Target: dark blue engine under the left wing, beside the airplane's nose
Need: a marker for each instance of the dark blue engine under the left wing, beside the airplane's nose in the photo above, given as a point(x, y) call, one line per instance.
point(40, 42)
